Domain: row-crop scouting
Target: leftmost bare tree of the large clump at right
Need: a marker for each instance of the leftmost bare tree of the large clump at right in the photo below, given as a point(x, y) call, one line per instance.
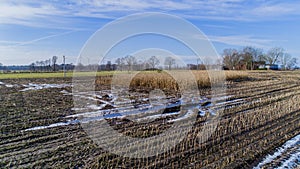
point(231, 58)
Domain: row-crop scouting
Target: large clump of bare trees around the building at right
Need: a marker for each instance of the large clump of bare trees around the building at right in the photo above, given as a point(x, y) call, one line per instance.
point(251, 58)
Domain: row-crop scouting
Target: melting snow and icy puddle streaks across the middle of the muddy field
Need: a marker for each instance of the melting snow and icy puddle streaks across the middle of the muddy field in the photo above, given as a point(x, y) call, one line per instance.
point(126, 107)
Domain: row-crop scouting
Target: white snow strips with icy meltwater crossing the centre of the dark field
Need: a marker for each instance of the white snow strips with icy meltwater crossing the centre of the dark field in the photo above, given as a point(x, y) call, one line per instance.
point(122, 106)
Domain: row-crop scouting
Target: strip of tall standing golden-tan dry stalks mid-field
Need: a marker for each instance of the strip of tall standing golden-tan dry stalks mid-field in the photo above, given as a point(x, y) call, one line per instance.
point(170, 81)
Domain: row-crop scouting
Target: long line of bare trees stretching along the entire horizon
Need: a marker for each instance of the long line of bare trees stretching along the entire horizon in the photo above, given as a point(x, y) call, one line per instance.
point(247, 58)
